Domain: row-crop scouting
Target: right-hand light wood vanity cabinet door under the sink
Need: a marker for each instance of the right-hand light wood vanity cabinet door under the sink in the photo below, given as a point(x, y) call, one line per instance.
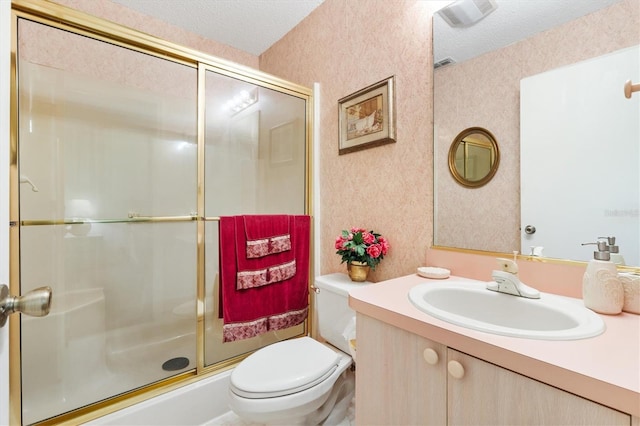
point(490, 395)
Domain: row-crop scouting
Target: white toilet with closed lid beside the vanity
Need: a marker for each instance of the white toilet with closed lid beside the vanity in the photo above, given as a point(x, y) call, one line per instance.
point(301, 381)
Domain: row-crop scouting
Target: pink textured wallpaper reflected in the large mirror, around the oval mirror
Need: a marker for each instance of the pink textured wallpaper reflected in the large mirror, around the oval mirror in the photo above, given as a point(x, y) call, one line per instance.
point(485, 92)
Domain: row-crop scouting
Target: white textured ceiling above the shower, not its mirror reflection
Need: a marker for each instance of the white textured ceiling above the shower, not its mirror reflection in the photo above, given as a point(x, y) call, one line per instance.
point(249, 25)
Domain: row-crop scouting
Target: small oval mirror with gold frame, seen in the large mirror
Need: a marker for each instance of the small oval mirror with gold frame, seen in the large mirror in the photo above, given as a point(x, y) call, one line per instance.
point(474, 157)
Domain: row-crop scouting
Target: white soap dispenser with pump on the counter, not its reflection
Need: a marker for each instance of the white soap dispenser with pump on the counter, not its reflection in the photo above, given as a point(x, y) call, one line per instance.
point(602, 290)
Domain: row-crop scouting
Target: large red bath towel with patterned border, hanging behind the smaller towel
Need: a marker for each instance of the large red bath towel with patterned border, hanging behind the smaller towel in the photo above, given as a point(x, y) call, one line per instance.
point(250, 312)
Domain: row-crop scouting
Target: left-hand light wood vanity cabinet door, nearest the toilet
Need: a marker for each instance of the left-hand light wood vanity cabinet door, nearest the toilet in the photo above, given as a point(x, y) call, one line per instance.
point(395, 383)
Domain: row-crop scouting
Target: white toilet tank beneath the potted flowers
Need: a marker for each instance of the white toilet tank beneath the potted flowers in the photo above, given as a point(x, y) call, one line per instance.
point(332, 307)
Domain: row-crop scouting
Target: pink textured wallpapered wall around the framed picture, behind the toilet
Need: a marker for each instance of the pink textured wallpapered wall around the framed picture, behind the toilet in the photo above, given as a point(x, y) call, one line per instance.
point(345, 46)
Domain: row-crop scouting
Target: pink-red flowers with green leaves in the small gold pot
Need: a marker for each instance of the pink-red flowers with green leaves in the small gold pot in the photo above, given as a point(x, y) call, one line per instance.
point(360, 245)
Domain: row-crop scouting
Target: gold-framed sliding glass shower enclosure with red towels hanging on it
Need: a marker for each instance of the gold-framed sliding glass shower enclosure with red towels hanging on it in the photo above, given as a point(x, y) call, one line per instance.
point(126, 150)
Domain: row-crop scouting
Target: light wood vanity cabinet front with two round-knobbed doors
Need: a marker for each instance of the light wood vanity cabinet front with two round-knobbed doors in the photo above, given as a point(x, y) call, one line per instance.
point(399, 381)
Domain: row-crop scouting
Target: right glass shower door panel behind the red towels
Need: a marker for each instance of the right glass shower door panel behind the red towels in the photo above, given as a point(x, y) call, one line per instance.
point(255, 164)
